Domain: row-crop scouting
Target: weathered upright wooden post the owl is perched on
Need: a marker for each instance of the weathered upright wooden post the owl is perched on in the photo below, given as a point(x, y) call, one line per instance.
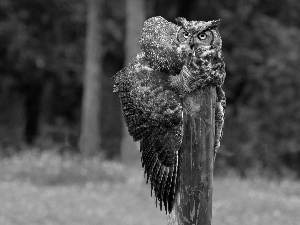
point(193, 203)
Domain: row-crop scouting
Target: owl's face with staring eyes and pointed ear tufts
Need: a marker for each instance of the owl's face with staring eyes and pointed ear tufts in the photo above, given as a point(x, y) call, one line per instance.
point(202, 37)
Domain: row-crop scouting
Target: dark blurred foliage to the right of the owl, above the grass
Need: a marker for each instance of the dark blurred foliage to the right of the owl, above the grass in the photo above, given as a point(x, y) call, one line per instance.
point(262, 48)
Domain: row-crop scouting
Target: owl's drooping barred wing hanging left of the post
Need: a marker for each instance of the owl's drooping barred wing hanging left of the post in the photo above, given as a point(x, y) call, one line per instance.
point(153, 114)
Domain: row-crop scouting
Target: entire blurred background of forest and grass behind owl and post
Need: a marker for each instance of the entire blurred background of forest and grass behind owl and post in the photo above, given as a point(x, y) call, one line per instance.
point(61, 124)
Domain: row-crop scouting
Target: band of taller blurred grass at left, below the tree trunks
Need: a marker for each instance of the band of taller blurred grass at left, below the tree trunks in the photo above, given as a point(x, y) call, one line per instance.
point(51, 169)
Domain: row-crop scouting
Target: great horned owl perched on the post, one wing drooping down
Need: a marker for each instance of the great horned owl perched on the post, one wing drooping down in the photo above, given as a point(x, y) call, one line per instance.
point(175, 60)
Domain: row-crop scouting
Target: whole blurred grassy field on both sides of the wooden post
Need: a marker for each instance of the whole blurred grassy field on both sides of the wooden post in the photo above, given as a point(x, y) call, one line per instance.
point(49, 189)
